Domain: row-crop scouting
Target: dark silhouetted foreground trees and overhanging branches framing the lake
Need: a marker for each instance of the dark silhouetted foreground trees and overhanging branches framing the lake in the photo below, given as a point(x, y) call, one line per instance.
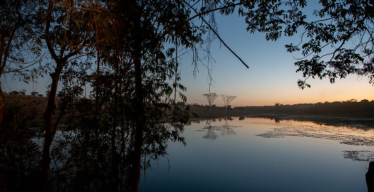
point(128, 53)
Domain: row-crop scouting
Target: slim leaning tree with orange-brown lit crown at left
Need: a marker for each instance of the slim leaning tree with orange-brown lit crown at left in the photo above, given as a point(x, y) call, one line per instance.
point(66, 33)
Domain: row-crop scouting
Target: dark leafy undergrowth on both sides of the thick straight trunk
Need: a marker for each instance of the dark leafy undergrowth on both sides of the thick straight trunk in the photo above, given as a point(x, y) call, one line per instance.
point(97, 150)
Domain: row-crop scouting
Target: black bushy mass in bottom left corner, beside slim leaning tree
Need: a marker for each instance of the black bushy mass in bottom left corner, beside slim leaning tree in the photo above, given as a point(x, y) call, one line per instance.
point(19, 155)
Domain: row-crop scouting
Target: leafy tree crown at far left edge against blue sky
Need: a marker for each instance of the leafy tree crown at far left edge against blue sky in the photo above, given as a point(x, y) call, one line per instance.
point(20, 44)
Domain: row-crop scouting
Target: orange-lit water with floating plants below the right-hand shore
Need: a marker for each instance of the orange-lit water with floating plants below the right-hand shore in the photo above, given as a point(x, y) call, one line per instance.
point(358, 134)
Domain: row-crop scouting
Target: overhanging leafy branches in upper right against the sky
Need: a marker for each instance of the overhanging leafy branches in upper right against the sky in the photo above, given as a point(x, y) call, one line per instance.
point(337, 24)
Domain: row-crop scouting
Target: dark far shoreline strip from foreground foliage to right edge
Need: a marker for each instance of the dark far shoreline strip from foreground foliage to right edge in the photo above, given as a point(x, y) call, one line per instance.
point(350, 109)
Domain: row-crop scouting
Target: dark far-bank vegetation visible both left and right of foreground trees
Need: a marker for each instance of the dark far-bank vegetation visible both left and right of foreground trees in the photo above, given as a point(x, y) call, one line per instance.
point(345, 110)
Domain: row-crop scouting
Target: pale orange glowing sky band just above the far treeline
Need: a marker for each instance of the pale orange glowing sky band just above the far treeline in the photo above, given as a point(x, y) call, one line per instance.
point(321, 91)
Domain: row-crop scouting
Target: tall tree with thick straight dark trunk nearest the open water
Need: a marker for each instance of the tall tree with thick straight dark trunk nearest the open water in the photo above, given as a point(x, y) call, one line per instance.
point(148, 24)
